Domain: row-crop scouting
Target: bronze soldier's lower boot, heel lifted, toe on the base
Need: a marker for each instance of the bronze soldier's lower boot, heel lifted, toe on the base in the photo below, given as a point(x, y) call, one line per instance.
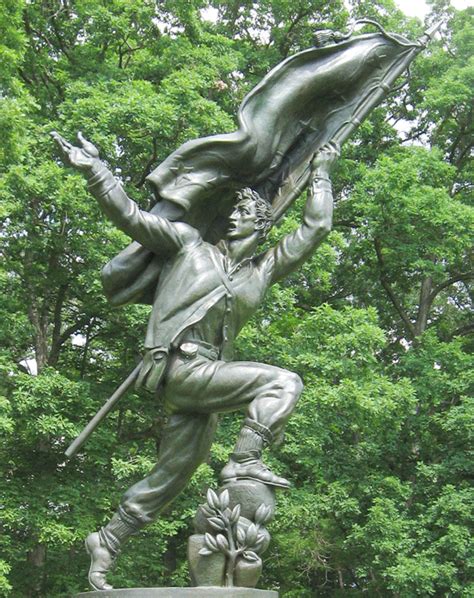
point(104, 546)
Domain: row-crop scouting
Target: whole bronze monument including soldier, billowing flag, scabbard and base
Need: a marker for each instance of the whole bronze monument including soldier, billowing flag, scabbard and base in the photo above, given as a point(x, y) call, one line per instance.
point(194, 258)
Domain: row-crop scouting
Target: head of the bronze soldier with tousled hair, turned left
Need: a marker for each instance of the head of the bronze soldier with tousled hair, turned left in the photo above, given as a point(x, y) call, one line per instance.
point(251, 214)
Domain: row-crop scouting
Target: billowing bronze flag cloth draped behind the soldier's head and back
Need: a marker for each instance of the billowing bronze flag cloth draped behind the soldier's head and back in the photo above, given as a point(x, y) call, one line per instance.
point(298, 107)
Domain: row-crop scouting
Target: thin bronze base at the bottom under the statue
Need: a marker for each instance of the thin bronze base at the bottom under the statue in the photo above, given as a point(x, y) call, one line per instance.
point(197, 592)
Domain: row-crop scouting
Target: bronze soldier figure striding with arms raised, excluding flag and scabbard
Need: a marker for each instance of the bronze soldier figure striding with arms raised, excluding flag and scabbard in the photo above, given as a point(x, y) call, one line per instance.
point(204, 296)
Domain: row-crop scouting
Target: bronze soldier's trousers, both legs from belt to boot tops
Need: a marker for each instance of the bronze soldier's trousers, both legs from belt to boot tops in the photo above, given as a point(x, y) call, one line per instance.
point(194, 392)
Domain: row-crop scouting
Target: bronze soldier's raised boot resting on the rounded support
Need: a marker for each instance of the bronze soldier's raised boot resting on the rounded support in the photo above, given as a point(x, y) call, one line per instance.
point(245, 462)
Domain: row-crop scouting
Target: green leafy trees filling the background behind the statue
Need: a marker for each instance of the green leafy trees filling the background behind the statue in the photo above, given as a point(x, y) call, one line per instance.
point(377, 322)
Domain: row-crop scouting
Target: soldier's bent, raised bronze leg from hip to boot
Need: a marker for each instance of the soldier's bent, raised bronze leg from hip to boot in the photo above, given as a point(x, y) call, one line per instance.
point(269, 393)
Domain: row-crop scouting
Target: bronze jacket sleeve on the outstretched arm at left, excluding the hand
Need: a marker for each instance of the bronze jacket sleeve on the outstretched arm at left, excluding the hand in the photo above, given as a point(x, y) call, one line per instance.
point(151, 230)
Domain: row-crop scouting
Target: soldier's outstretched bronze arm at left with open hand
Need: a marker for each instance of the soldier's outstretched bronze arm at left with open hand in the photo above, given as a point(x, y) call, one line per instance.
point(158, 234)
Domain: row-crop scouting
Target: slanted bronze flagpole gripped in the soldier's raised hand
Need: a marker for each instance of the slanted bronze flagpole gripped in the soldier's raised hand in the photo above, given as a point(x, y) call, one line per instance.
point(300, 180)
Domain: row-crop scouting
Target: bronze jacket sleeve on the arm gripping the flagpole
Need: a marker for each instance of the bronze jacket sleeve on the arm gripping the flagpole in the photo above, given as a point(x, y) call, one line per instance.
point(291, 251)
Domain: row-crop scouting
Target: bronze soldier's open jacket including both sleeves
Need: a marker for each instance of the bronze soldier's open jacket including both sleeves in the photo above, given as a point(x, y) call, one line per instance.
point(197, 274)
